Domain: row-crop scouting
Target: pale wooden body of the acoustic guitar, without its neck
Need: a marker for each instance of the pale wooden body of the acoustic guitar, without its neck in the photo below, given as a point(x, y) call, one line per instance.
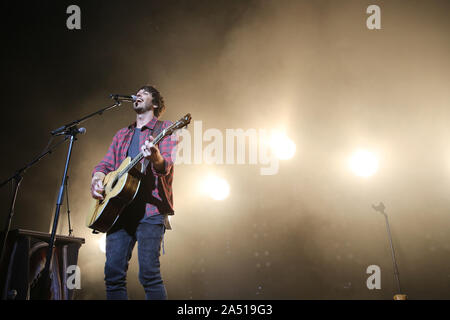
point(119, 192)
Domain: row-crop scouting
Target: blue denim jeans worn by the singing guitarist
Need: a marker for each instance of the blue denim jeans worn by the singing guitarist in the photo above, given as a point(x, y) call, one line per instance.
point(119, 246)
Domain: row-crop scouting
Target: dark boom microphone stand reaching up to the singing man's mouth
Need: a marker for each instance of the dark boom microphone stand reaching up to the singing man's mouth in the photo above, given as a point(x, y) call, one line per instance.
point(70, 130)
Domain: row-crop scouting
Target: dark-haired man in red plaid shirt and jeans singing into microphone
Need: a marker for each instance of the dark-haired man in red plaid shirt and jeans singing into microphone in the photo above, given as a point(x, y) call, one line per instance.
point(146, 218)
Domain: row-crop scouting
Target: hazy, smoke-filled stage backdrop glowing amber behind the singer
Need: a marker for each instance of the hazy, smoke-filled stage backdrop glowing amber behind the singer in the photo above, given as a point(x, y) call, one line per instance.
point(311, 67)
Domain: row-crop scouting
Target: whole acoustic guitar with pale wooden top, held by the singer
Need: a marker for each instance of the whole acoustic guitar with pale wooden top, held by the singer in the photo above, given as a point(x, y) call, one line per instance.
point(122, 185)
